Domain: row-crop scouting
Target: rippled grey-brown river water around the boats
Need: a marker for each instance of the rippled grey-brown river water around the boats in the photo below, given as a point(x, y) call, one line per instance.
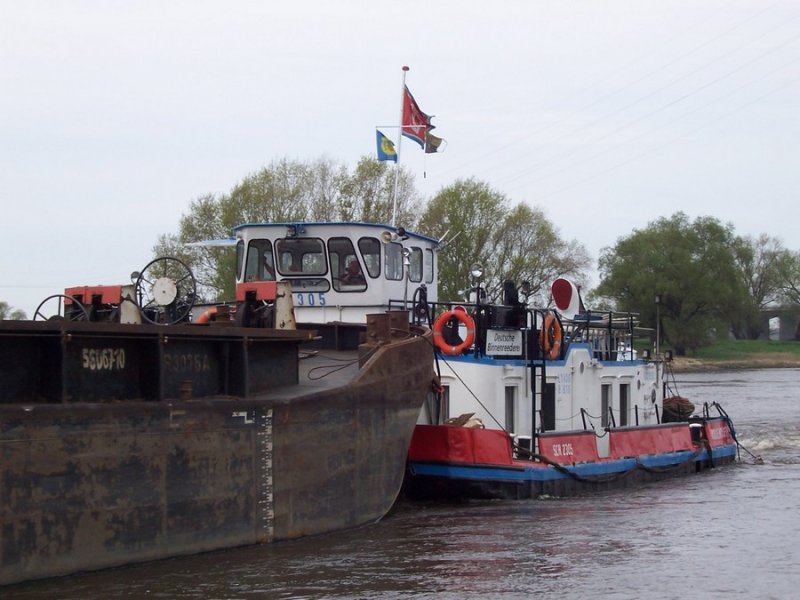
point(730, 533)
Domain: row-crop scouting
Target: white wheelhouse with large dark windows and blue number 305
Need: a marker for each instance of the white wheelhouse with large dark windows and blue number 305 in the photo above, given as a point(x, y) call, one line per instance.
point(337, 271)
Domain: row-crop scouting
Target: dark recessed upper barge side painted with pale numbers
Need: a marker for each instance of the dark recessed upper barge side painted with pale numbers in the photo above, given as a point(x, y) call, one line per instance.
point(98, 362)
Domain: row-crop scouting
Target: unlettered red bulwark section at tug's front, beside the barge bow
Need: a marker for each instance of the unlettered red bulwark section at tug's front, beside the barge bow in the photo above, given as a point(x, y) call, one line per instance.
point(450, 444)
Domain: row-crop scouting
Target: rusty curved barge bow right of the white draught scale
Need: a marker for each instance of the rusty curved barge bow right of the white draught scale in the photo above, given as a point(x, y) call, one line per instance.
point(357, 444)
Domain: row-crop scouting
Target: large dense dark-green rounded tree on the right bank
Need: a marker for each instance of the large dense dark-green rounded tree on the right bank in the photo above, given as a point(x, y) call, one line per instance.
point(690, 265)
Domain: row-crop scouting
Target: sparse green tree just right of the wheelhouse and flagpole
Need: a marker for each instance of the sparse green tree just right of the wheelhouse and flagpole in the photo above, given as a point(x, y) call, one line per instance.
point(516, 243)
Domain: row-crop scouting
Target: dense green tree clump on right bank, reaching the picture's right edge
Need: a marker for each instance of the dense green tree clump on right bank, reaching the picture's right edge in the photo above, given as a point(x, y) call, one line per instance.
point(708, 280)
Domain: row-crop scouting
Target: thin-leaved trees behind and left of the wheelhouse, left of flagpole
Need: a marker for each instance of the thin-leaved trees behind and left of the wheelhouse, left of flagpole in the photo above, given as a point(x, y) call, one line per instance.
point(285, 191)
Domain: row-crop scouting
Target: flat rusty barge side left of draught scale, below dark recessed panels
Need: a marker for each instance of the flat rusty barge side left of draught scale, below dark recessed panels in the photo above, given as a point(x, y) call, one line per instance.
point(92, 486)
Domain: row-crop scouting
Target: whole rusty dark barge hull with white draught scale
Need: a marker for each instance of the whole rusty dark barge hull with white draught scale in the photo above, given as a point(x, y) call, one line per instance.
point(219, 445)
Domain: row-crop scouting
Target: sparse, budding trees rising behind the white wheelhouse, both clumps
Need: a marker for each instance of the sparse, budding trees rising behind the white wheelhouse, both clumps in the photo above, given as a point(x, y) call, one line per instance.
point(479, 224)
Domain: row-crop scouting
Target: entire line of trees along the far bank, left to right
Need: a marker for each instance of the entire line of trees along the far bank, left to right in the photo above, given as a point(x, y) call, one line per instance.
point(709, 280)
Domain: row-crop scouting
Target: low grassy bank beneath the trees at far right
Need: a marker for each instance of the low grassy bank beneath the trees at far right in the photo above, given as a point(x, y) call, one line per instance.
point(741, 354)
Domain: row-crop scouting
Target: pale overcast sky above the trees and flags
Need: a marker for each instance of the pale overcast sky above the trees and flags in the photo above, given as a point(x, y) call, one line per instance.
point(115, 115)
